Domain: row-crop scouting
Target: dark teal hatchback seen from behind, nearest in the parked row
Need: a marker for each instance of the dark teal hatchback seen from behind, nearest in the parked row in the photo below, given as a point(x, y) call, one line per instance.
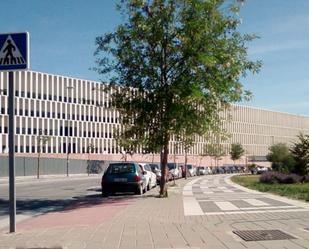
point(123, 177)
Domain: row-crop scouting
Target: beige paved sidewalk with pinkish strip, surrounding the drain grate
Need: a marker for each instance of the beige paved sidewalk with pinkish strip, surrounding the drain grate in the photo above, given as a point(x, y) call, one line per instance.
point(149, 222)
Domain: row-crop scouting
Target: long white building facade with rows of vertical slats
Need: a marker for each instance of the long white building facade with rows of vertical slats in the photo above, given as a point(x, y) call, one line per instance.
point(59, 116)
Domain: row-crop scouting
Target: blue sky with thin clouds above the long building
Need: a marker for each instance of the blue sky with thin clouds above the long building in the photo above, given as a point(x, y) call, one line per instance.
point(63, 32)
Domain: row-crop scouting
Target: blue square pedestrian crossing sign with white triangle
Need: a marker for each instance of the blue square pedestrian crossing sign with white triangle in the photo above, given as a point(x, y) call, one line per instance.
point(14, 51)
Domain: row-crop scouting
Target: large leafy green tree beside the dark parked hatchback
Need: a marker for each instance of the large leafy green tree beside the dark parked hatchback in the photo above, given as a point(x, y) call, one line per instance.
point(178, 64)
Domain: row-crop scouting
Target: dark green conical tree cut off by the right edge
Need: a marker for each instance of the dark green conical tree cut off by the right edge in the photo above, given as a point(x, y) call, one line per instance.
point(300, 152)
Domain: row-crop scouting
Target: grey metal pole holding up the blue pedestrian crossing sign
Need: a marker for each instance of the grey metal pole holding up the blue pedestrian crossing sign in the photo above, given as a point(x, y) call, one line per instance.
point(12, 193)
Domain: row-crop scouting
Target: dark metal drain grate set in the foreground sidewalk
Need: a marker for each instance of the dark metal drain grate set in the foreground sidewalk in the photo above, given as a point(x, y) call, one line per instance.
point(257, 235)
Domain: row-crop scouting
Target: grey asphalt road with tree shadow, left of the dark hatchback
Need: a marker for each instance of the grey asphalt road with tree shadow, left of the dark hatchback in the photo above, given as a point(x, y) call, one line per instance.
point(40, 196)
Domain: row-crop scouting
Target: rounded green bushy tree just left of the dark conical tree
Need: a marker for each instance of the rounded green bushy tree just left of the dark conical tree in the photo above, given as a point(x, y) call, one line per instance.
point(280, 157)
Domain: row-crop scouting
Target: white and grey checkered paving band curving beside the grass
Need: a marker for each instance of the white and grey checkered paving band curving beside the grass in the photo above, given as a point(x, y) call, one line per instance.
point(218, 197)
